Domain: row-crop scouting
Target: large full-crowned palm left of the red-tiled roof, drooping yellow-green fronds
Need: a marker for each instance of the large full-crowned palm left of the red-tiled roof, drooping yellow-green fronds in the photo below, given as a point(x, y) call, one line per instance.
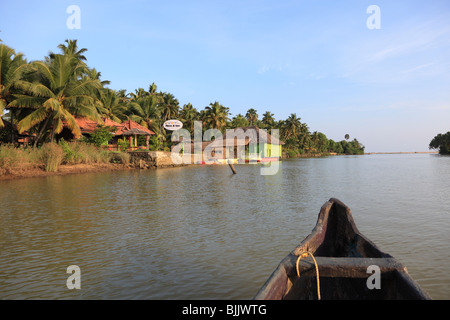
point(57, 98)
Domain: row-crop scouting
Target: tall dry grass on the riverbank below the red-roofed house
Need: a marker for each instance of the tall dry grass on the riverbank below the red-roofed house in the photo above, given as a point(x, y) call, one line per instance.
point(51, 155)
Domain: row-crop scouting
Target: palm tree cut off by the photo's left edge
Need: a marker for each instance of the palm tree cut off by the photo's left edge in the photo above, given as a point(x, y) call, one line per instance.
point(12, 67)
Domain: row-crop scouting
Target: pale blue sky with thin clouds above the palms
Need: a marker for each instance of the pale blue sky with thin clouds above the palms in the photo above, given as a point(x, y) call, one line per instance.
point(388, 87)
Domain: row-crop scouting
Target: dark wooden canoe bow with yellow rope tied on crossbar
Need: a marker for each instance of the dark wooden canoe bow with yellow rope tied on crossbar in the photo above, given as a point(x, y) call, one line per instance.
point(343, 256)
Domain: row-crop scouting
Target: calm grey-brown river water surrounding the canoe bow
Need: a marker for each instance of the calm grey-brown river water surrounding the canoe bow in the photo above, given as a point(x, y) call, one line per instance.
point(201, 232)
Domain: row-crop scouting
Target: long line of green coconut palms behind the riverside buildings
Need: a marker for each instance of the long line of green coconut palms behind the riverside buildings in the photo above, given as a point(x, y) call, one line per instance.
point(43, 97)
